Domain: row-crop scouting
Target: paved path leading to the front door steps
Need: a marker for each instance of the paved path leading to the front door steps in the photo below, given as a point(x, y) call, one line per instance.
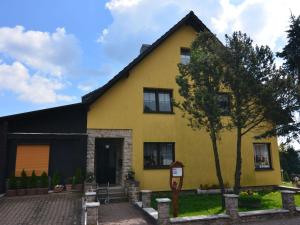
point(122, 213)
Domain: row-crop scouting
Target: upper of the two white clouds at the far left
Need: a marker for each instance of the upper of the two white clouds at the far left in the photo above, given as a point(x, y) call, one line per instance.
point(54, 53)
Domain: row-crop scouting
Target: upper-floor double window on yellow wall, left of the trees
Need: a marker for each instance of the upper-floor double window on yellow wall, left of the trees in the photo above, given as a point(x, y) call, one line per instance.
point(157, 101)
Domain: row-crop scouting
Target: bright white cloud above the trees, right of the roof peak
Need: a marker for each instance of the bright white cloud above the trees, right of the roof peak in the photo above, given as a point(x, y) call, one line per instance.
point(264, 20)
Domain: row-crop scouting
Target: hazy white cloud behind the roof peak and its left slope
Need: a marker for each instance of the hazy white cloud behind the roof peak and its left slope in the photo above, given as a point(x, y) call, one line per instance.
point(142, 21)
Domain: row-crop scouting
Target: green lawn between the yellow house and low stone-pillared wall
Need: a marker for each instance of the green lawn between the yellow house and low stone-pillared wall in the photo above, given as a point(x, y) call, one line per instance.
point(193, 204)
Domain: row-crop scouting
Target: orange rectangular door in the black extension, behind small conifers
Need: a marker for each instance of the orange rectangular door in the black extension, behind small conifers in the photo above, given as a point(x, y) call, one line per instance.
point(32, 157)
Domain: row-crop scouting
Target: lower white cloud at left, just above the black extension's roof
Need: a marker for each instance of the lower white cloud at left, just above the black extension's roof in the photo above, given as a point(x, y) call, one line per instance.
point(30, 87)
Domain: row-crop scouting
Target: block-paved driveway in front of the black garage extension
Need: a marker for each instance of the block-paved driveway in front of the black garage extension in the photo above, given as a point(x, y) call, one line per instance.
point(51, 209)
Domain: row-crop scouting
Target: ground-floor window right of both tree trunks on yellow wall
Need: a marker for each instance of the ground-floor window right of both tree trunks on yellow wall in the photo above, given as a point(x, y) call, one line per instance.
point(262, 156)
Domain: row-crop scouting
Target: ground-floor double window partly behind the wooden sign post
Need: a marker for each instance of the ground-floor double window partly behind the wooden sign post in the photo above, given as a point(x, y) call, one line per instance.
point(158, 154)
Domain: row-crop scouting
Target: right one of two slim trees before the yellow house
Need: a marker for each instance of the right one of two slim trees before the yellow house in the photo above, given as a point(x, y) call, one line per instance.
point(251, 80)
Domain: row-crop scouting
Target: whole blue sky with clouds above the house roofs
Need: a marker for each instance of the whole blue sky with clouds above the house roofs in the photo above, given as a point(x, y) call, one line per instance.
point(53, 52)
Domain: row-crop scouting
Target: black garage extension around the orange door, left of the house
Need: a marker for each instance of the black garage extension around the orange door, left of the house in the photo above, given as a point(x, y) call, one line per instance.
point(63, 128)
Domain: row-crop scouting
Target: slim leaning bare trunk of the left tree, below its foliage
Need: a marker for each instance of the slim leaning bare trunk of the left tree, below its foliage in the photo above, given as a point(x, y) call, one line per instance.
point(218, 167)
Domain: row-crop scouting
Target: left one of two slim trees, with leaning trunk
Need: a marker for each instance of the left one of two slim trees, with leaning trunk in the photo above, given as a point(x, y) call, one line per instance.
point(199, 84)
